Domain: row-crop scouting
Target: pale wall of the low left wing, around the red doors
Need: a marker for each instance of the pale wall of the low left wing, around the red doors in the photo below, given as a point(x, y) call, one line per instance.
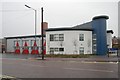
point(11, 43)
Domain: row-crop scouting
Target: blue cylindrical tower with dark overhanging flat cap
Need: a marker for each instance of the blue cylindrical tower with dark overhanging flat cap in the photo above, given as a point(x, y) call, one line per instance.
point(99, 29)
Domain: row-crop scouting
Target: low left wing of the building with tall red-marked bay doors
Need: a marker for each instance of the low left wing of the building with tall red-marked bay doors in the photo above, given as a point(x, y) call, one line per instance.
point(21, 42)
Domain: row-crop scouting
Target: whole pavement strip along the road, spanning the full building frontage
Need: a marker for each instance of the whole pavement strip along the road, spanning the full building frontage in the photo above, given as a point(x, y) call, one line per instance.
point(90, 59)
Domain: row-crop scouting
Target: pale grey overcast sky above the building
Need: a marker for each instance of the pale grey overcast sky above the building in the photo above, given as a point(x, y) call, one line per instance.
point(16, 19)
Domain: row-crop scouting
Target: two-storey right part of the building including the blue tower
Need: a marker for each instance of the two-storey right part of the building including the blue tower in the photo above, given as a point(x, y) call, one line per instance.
point(88, 38)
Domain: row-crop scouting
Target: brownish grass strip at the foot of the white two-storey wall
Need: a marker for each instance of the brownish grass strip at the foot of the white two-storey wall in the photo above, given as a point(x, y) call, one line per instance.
point(68, 56)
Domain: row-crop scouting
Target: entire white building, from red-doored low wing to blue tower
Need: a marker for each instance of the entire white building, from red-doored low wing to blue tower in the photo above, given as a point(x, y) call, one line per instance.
point(88, 38)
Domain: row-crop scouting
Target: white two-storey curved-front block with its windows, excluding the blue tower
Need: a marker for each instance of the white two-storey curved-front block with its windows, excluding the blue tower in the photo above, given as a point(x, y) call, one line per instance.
point(69, 41)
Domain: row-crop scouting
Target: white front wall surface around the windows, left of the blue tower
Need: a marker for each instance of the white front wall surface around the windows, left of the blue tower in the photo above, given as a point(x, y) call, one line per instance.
point(71, 43)
